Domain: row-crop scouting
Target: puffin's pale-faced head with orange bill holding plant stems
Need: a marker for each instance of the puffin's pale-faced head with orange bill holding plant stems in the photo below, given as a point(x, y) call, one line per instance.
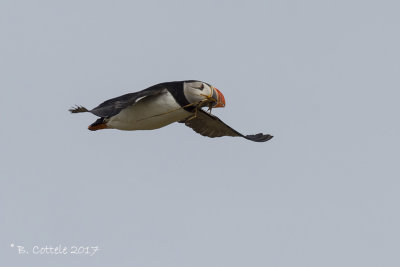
point(197, 91)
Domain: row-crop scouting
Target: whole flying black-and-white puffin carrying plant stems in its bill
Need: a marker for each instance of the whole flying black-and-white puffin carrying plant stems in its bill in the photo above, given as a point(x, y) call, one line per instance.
point(163, 104)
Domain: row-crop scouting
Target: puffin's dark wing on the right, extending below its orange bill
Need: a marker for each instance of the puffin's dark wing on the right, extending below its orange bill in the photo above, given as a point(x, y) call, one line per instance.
point(211, 126)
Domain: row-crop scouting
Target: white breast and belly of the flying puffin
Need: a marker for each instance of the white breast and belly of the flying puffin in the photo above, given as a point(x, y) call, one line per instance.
point(149, 113)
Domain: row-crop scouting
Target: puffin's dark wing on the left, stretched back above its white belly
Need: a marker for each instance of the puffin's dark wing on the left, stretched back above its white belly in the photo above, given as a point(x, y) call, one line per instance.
point(114, 106)
